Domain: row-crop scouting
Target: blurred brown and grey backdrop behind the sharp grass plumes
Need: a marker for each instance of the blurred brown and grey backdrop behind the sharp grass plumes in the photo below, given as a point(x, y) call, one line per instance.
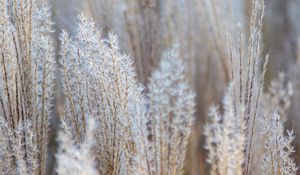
point(148, 27)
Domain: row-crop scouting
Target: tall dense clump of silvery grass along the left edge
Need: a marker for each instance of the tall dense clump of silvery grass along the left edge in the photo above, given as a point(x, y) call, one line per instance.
point(26, 73)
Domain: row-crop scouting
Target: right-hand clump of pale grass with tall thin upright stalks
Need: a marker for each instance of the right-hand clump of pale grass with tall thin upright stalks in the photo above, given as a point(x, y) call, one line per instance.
point(243, 104)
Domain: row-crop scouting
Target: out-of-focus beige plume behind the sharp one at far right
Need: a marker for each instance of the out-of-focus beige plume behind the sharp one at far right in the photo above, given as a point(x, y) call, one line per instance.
point(275, 100)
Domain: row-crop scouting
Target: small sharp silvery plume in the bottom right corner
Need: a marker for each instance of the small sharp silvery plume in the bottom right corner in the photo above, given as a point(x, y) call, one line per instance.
point(278, 147)
